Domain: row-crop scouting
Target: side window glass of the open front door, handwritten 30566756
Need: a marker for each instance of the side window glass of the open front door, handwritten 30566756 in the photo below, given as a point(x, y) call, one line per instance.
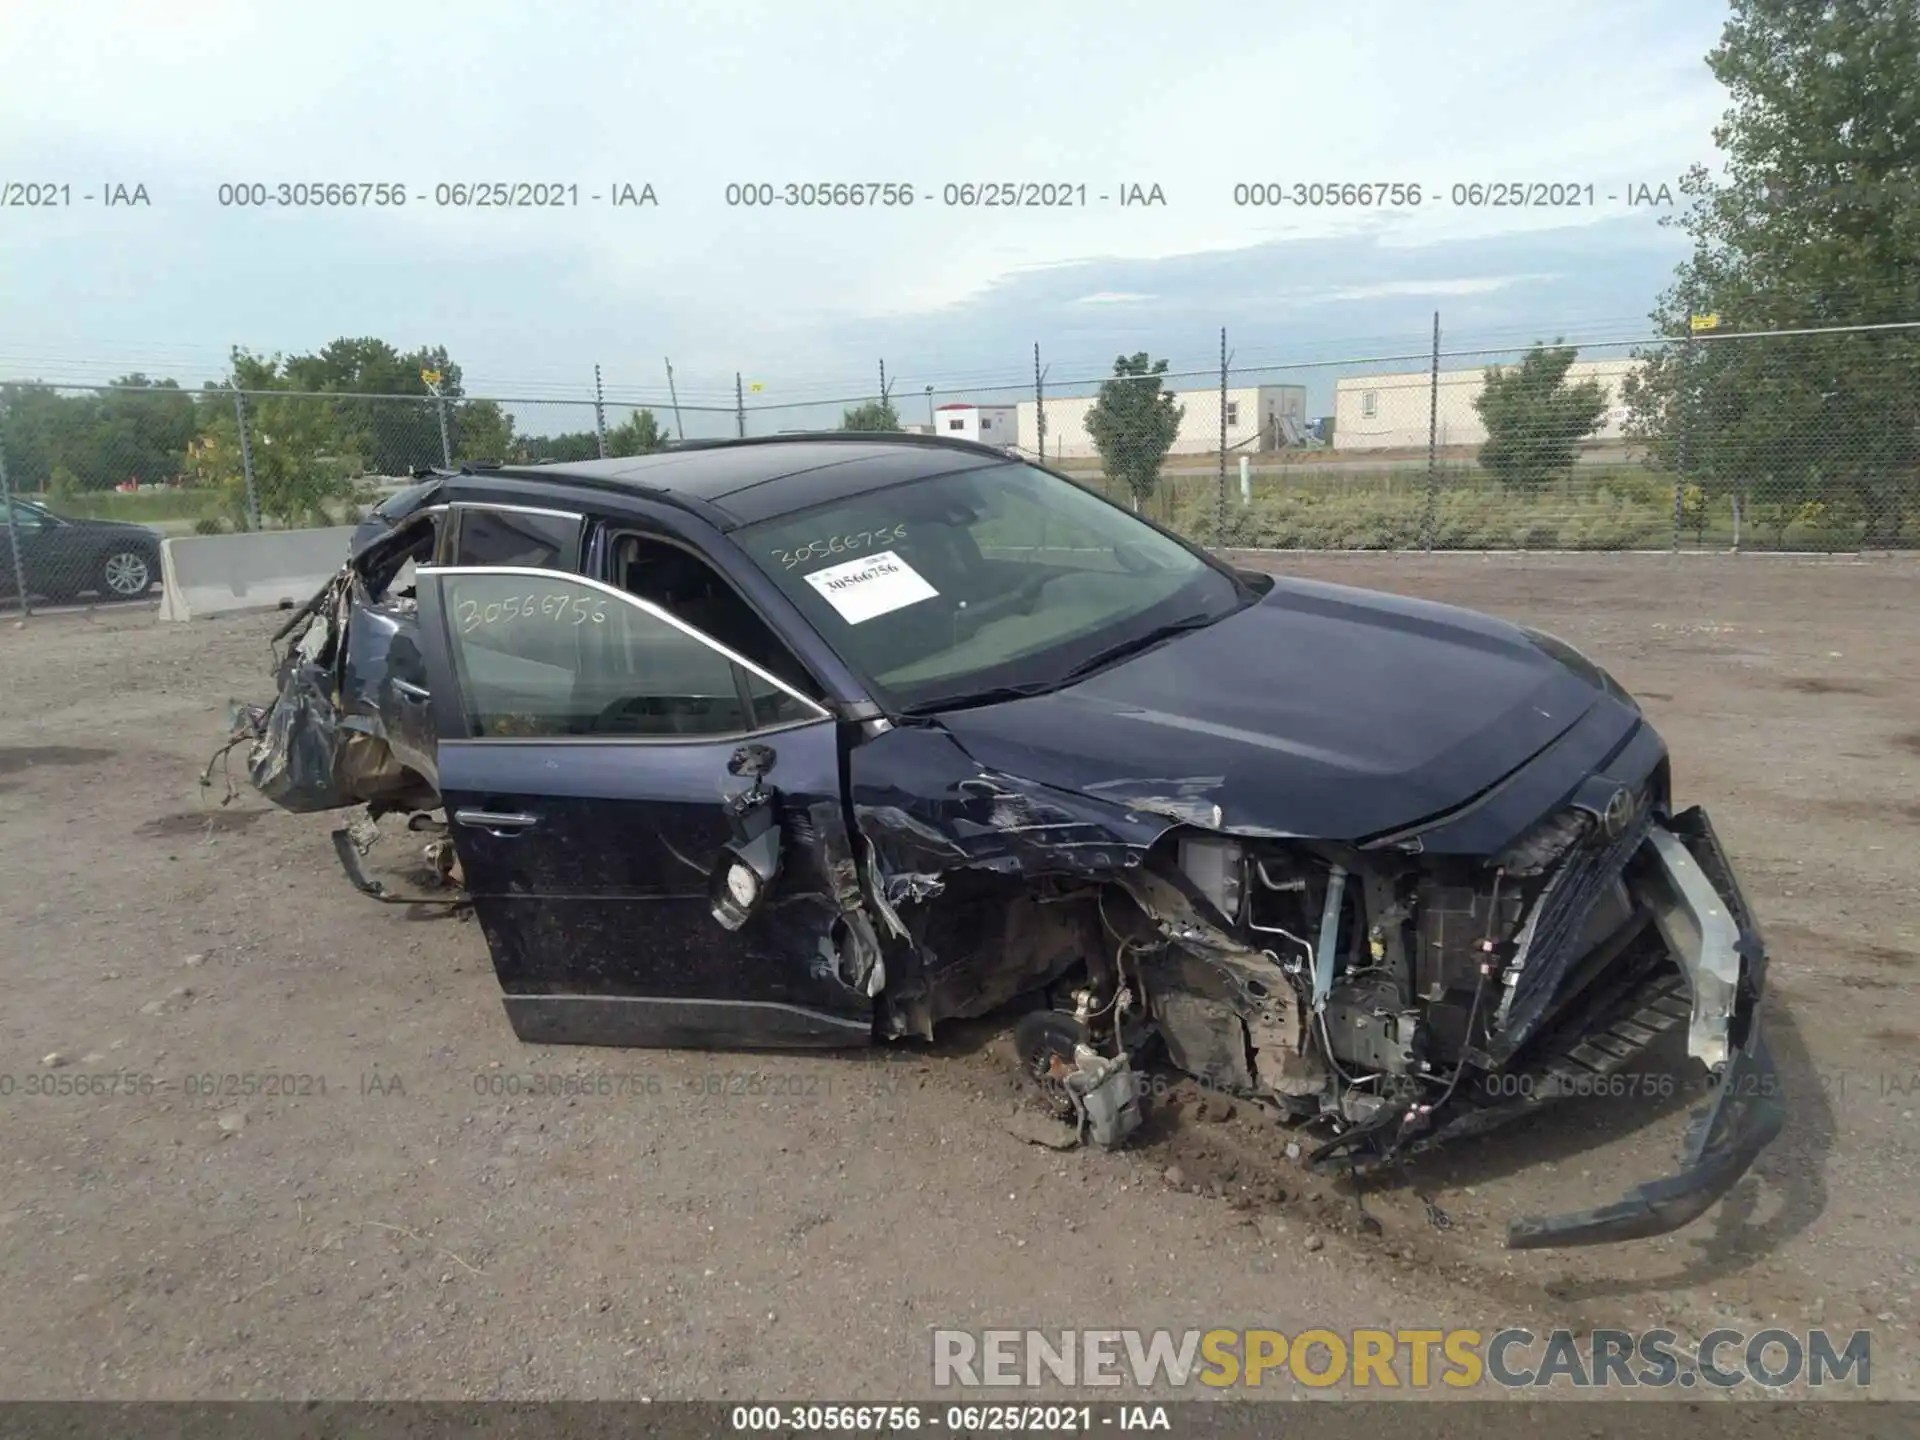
point(552, 656)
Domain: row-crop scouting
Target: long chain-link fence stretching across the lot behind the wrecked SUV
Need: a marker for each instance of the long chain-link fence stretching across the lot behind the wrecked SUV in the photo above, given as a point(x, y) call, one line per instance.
point(1717, 441)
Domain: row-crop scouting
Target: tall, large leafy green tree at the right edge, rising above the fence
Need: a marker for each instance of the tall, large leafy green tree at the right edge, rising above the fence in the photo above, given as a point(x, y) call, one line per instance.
point(1813, 226)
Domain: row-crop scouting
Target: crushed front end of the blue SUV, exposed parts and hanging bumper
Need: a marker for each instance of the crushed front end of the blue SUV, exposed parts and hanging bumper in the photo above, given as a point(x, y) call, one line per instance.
point(1406, 999)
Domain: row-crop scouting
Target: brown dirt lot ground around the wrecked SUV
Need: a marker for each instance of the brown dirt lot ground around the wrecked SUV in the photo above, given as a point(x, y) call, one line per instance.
point(406, 1226)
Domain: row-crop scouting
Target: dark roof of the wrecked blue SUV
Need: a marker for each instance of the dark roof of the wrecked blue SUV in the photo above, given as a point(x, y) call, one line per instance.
point(731, 483)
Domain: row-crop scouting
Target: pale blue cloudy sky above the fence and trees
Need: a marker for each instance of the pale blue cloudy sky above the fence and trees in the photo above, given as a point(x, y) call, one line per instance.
point(690, 99)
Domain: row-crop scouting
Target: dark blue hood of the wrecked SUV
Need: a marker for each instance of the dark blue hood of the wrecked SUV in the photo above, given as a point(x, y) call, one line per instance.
point(1320, 711)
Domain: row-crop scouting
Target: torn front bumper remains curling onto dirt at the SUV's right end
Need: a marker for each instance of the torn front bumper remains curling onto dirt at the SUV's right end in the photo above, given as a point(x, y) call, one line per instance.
point(1710, 930)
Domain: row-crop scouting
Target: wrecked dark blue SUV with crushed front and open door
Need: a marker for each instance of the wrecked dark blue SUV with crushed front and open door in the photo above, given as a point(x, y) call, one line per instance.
point(827, 740)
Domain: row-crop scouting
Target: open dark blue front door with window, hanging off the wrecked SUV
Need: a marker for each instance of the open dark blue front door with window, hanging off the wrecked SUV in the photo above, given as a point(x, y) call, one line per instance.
point(585, 763)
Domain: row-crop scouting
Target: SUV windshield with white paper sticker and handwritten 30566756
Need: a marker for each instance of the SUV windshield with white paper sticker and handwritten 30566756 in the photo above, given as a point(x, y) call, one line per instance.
point(963, 585)
